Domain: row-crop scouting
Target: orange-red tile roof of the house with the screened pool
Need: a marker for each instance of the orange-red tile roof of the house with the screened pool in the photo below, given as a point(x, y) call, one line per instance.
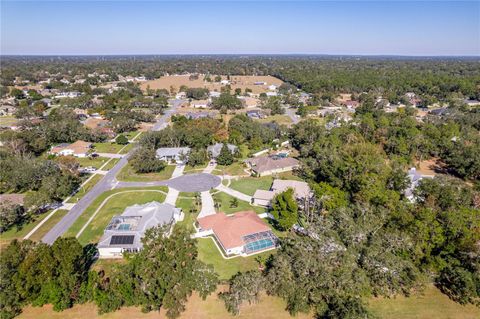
point(231, 229)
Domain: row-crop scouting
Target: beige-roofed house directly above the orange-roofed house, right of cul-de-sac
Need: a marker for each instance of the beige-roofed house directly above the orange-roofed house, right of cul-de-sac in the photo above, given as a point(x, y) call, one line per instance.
point(263, 198)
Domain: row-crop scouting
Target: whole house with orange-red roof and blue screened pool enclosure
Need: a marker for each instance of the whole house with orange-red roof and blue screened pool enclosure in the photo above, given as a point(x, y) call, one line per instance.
point(243, 233)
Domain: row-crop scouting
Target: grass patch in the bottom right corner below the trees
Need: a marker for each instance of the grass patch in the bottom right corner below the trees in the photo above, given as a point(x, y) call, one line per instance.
point(431, 304)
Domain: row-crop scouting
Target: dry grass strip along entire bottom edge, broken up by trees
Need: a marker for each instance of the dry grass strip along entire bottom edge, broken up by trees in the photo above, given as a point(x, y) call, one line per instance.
point(433, 305)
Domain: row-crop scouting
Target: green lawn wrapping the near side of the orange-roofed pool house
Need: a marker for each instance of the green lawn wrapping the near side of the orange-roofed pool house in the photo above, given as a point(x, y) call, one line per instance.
point(226, 268)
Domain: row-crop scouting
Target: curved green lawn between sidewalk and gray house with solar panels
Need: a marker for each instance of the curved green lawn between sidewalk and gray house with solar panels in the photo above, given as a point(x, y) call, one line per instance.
point(115, 206)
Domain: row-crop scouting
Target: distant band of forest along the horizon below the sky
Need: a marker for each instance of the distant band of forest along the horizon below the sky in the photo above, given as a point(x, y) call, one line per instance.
point(430, 77)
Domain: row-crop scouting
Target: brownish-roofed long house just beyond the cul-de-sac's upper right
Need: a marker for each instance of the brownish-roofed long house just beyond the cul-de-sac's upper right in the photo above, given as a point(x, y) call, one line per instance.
point(268, 165)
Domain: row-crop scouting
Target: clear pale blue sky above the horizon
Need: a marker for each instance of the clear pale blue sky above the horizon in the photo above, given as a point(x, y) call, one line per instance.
point(279, 27)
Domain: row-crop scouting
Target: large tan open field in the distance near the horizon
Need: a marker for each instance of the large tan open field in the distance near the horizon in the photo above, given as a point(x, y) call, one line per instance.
point(237, 81)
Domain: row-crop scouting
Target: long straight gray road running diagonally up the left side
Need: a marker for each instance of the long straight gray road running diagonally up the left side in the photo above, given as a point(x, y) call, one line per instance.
point(108, 182)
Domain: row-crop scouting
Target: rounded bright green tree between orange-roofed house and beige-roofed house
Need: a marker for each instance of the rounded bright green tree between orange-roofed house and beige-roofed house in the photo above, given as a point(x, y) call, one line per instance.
point(285, 209)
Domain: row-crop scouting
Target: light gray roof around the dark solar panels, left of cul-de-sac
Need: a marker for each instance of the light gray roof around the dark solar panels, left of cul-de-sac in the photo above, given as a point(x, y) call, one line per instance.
point(135, 220)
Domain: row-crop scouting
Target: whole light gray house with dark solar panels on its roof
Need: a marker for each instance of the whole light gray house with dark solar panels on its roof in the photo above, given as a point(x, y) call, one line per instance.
point(124, 232)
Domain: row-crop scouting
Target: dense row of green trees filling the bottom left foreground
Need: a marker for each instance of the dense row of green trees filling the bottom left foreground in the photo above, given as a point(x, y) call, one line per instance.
point(38, 274)
